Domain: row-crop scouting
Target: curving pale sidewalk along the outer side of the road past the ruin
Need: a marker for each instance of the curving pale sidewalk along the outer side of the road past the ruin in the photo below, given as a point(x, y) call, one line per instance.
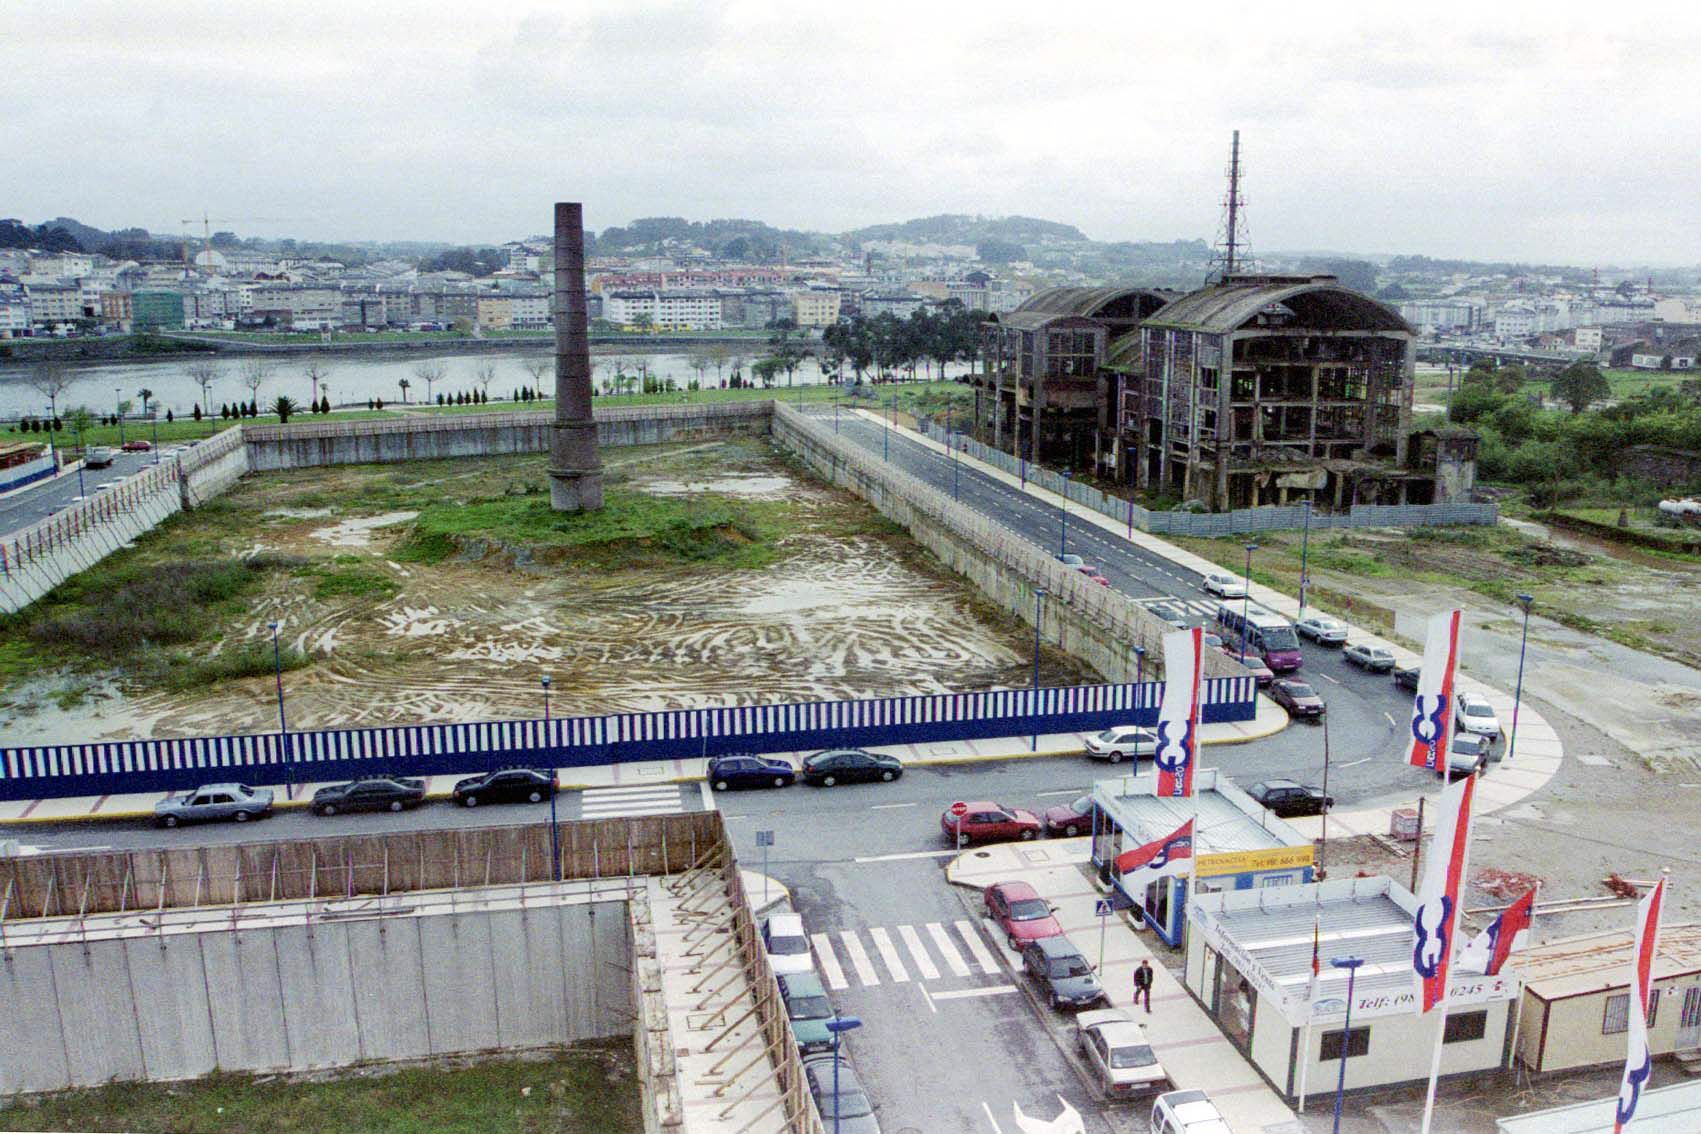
point(1540, 751)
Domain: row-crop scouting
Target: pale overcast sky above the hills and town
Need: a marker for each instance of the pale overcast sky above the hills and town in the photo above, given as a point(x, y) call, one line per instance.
point(1539, 132)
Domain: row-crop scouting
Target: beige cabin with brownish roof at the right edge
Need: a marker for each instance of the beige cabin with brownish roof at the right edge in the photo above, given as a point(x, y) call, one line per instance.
point(1578, 999)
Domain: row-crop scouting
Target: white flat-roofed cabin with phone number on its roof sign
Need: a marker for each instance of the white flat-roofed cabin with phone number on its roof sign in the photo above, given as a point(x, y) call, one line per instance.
point(1249, 965)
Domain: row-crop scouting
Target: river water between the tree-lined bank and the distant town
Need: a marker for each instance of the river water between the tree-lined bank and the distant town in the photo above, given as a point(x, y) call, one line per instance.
point(355, 378)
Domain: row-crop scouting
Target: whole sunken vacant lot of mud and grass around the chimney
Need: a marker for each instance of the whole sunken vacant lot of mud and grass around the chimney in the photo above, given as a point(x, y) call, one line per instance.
point(719, 574)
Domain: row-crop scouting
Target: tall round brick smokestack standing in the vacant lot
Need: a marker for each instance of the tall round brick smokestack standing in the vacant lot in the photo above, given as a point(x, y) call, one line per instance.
point(576, 472)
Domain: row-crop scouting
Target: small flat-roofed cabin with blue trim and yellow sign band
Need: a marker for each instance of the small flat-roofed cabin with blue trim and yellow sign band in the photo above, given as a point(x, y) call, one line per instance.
point(1239, 844)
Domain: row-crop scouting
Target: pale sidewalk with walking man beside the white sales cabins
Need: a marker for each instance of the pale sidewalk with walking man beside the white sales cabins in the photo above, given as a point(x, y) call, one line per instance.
point(1188, 1043)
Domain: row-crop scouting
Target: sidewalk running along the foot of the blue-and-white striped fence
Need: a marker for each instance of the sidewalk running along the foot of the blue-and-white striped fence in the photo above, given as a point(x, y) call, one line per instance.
point(691, 771)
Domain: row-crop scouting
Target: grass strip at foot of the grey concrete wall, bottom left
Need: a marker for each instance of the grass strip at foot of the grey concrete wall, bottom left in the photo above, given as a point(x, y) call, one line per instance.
point(584, 1091)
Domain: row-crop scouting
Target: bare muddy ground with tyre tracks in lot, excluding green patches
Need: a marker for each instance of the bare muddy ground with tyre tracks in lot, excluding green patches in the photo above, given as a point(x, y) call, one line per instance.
point(848, 608)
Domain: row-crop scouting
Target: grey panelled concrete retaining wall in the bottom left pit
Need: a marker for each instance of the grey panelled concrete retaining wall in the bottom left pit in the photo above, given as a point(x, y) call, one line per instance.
point(317, 995)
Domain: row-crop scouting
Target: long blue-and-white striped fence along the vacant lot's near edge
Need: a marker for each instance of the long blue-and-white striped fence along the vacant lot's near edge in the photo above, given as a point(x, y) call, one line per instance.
point(147, 766)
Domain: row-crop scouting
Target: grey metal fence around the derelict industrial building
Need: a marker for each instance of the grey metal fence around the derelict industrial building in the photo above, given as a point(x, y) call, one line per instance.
point(1209, 524)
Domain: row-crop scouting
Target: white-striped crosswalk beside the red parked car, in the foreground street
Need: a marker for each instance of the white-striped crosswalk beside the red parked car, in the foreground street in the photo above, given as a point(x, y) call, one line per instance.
point(930, 951)
